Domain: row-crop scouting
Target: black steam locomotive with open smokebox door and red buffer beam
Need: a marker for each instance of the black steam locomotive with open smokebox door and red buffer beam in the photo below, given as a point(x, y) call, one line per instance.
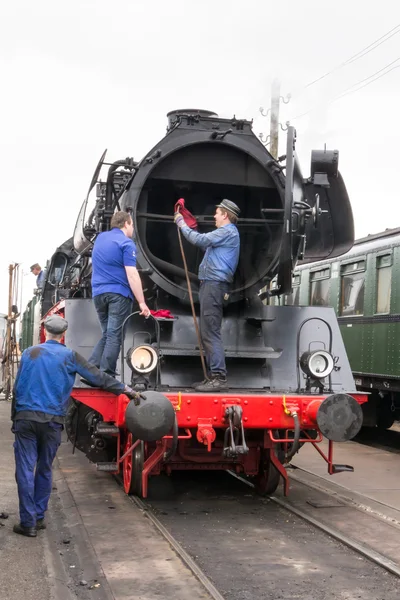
point(289, 376)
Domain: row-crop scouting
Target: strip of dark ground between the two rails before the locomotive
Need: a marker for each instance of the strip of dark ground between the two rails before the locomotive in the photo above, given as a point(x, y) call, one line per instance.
point(253, 549)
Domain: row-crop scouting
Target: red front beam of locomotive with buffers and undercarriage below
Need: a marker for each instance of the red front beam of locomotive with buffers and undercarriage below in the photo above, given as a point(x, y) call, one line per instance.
point(247, 433)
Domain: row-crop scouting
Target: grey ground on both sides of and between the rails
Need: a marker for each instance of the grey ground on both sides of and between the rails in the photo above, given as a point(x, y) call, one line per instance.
point(250, 548)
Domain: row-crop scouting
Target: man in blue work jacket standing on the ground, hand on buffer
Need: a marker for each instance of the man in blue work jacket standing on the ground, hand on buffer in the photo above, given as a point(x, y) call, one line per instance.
point(41, 392)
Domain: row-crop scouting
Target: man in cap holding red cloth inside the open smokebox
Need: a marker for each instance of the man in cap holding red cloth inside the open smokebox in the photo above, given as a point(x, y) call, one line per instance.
point(216, 273)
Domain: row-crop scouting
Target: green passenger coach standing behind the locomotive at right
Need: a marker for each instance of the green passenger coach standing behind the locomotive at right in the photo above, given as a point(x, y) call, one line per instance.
point(363, 286)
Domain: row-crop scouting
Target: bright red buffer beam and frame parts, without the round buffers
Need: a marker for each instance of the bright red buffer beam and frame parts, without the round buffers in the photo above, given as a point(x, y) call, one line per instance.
point(205, 413)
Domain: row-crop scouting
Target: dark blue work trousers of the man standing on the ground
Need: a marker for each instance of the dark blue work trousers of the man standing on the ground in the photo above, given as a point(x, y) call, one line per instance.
point(35, 448)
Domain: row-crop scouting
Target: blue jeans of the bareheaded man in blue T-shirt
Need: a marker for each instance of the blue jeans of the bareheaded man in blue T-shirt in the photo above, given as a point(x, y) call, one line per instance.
point(112, 310)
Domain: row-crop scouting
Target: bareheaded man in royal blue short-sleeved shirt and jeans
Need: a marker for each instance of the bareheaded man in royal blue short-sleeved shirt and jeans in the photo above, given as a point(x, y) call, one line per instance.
point(115, 283)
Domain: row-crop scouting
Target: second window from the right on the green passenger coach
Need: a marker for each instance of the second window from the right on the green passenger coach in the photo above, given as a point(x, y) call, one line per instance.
point(352, 289)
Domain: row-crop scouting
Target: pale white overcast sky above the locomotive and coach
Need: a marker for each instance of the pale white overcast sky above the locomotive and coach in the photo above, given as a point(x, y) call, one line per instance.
point(82, 76)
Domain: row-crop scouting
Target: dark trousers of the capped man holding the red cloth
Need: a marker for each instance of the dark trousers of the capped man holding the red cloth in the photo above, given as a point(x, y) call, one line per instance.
point(211, 308)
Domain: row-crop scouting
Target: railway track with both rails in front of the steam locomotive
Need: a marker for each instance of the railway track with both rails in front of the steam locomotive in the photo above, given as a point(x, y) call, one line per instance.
point(275, 530)
